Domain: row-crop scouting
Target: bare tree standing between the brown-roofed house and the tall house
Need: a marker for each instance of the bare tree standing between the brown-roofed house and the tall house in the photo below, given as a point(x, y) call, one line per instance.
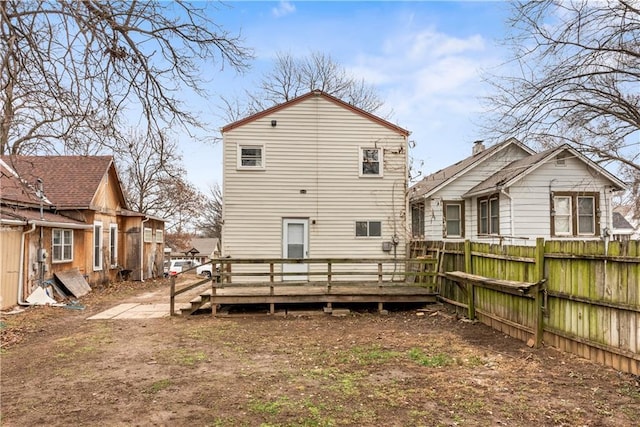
point(154, 181)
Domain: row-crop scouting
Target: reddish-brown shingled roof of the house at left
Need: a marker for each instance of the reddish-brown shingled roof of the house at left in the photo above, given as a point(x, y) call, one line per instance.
point(69, 181)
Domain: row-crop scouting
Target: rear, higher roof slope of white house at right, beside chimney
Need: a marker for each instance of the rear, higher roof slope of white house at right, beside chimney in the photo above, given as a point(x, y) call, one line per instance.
point(439, 179)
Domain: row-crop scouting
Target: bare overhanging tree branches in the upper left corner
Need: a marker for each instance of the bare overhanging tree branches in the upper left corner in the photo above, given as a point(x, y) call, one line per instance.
point(72, 73)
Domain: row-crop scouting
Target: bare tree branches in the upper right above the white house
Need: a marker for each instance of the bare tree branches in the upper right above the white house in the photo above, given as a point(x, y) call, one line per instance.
point(578, 75)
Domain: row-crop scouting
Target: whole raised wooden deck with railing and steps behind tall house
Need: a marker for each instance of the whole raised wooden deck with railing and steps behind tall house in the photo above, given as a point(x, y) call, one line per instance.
point(264, 281)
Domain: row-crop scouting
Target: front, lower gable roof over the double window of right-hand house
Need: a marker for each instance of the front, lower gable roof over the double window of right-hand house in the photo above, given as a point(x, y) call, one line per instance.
point(518, 169)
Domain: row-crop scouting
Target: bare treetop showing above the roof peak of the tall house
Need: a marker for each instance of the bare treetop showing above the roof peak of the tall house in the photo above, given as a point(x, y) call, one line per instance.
point(291, 77)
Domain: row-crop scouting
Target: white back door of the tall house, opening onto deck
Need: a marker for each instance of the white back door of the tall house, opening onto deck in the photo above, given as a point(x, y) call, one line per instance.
point(295, 245)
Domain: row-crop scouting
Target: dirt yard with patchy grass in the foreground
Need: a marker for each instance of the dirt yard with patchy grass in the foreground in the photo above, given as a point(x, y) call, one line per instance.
point(407, 368)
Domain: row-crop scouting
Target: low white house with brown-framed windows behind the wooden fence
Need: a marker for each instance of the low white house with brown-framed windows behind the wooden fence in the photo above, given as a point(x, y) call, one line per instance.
point(555, 194)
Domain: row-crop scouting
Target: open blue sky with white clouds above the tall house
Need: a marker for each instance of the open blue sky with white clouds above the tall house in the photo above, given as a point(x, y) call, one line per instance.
point(424, 58)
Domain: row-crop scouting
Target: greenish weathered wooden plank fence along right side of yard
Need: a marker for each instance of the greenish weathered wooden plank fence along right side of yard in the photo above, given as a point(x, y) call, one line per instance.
point(587, 301)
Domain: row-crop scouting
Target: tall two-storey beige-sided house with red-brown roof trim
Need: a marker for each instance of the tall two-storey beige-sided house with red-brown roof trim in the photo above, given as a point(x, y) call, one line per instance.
point(314, 178)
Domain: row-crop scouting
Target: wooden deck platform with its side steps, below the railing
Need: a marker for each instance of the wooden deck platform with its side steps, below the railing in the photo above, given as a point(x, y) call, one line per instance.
point(316, 293)
